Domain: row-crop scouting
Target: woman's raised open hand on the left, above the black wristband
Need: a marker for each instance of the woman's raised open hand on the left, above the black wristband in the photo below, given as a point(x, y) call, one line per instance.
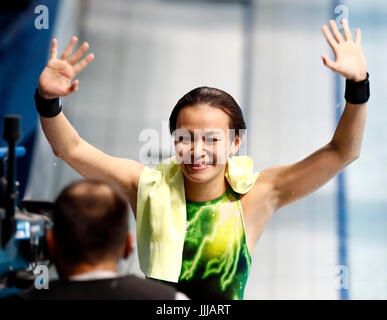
point(55, 79)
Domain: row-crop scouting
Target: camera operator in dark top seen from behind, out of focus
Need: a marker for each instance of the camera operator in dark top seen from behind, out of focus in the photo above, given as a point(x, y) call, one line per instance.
point(89, 237)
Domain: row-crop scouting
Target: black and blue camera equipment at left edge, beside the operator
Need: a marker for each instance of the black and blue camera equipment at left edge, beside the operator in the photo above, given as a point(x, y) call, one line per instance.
point(23, 224)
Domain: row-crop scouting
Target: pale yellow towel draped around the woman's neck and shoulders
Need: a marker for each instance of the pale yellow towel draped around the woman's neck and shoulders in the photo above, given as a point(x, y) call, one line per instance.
point(161, 213)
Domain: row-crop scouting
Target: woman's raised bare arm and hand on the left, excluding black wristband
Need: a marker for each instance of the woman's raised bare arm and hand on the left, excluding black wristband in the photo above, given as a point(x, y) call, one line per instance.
point(56, 81)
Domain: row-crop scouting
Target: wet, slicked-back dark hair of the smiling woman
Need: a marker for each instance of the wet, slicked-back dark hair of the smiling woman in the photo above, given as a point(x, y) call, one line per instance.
point(215, 98)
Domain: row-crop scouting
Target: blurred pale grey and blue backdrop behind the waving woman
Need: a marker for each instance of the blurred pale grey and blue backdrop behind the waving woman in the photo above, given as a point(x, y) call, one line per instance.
point(267, 55)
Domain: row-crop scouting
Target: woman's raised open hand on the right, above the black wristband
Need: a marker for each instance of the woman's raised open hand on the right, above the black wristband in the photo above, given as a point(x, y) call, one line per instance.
point(350, 61)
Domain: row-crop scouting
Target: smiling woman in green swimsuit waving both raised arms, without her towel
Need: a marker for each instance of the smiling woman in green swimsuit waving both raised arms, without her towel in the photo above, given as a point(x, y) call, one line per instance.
point(212, 267)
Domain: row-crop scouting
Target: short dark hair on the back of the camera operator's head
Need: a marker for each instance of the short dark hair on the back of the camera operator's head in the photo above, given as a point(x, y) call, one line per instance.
point(90, 221)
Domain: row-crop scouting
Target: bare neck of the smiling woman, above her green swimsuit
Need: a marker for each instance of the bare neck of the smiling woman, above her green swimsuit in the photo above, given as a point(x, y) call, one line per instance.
point(205, 191)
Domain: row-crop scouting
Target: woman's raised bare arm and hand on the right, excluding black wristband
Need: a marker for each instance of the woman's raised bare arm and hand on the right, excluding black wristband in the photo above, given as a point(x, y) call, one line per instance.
point(289, 183)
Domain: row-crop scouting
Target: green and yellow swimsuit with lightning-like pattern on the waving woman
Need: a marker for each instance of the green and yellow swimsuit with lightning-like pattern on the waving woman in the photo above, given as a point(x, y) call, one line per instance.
point(216, 261)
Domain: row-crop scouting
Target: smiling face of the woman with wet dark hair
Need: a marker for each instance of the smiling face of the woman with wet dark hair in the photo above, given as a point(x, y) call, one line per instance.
point(203, 142)
